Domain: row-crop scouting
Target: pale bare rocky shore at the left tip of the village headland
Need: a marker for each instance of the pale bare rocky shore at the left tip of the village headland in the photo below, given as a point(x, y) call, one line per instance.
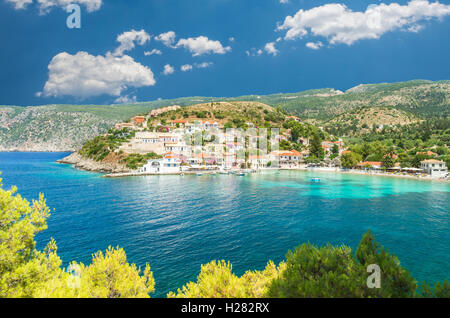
point(82, 163)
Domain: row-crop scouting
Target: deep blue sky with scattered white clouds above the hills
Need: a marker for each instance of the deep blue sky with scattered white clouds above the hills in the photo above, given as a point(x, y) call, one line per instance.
point(142, 50)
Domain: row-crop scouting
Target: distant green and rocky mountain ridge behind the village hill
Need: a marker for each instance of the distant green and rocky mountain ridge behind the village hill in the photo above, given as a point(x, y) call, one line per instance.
point(67, 127)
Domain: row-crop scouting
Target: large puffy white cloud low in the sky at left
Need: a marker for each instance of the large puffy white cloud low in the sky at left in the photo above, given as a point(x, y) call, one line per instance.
point(83, 75)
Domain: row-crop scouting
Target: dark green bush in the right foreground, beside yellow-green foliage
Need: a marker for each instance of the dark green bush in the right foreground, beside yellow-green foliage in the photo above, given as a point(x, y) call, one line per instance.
point(335, 272)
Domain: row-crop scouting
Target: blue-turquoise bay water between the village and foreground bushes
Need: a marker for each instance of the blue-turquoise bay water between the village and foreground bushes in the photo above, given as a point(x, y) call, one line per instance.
point(177, 223)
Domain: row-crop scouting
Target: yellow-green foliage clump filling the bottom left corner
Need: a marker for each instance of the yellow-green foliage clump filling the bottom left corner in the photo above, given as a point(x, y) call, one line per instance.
point(27, 272)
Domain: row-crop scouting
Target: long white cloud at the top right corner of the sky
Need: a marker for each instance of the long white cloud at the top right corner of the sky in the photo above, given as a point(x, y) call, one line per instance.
point(339, 24)
